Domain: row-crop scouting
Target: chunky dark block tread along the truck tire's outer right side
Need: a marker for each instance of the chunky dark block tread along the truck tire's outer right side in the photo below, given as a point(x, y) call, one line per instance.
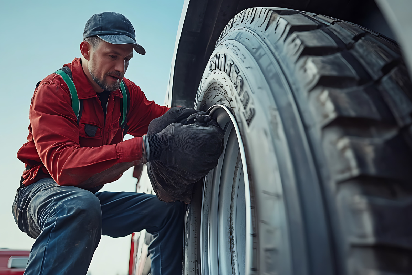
point(360, 96)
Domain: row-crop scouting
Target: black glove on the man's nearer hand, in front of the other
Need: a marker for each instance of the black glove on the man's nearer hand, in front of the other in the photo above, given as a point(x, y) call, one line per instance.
point(193, 148)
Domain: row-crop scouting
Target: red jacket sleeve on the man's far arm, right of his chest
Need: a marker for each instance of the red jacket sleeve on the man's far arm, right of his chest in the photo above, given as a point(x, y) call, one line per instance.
point(141, 111)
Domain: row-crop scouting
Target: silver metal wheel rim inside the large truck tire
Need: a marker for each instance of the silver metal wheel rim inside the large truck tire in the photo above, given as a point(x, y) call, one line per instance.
point(226, 213)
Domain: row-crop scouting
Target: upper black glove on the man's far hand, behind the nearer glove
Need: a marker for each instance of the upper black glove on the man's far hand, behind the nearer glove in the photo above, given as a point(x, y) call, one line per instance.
point(174, 115)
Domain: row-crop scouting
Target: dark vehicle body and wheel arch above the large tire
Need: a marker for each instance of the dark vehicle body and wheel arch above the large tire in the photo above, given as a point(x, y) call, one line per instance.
point(205, 20)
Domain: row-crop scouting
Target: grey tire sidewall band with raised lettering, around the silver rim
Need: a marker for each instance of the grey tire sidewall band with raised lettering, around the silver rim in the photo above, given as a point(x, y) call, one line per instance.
point(229, 79)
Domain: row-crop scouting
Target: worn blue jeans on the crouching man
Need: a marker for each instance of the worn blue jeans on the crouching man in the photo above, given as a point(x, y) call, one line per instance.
point(67, 223)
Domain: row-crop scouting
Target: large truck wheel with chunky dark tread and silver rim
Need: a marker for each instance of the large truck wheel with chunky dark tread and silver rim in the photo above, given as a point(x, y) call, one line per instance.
point(316, 174)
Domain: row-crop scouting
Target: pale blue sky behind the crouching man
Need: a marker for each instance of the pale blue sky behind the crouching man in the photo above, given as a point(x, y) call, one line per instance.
point(37, 38)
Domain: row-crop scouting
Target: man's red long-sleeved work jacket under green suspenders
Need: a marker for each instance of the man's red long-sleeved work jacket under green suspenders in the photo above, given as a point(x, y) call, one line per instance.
point(58, 146)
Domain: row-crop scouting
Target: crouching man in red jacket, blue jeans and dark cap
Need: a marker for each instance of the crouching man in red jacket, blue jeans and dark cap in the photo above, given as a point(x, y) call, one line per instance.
point(68, 158)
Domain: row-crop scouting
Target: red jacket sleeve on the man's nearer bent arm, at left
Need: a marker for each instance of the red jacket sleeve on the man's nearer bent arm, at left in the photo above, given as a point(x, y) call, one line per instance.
point(56, 137)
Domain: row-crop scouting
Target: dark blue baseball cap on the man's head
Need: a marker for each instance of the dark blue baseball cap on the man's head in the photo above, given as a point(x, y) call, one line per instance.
point(112, 27)
